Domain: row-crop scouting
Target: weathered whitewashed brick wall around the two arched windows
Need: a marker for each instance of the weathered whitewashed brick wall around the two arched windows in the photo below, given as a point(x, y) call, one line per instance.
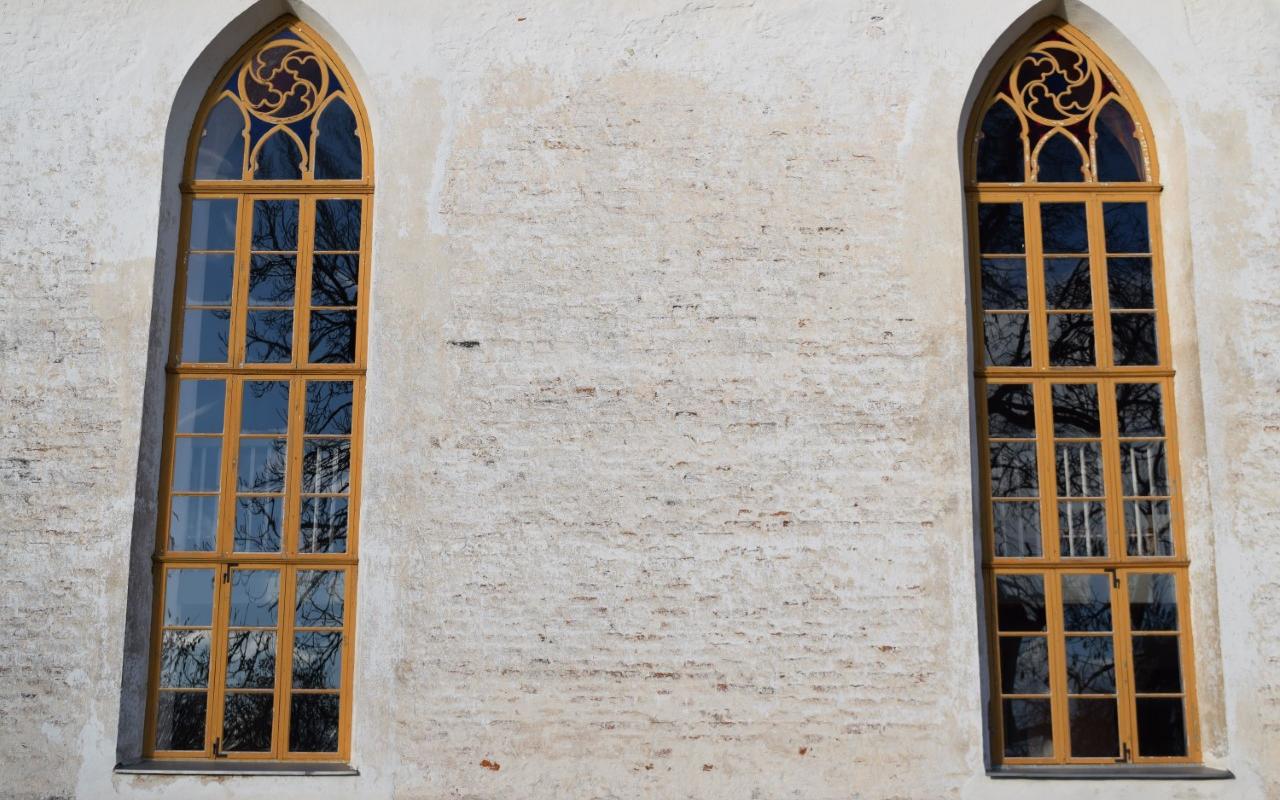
point(668, 482)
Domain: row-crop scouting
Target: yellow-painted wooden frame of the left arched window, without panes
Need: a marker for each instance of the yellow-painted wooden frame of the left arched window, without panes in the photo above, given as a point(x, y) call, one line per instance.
point(289, 563)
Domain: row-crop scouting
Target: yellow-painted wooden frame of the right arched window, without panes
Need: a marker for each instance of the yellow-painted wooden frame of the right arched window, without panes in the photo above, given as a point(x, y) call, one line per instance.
point(1105, 374)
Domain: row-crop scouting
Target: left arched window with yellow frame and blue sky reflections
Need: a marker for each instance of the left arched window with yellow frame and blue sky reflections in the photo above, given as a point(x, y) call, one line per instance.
point(257, 540)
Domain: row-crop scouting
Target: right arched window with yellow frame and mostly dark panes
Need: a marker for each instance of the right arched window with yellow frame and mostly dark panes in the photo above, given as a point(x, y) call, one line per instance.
point(1084, 550)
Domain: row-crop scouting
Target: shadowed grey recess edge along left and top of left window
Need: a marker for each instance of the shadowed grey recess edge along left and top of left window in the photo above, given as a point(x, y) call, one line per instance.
point(182, 117)
